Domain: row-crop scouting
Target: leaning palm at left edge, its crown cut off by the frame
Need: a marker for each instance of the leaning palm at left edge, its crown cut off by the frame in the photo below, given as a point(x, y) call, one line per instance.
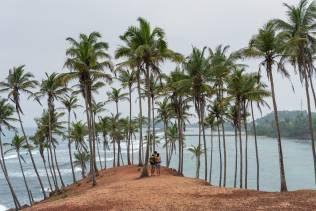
point(6, 113)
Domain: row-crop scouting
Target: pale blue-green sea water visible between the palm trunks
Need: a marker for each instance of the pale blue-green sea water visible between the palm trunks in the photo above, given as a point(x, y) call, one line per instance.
point(297, 158)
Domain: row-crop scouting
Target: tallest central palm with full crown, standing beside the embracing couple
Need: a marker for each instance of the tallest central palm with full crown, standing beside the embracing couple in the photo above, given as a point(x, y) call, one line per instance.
point(148, 48)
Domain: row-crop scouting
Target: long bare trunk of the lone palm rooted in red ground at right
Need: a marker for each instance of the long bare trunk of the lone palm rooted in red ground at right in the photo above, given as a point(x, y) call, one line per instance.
point(283, 187)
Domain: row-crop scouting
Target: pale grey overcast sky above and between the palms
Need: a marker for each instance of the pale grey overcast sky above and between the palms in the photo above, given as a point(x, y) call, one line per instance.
point(33, 33)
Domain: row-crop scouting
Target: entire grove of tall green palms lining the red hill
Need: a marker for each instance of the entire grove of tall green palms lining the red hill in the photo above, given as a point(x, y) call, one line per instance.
point(211, 82)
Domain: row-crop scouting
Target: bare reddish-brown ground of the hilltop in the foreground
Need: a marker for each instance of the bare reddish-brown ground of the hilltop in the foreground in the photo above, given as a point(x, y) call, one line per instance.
point(121, 189)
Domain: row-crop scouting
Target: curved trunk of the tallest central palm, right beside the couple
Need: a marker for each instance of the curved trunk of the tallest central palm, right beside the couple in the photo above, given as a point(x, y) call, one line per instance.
point(145, 168)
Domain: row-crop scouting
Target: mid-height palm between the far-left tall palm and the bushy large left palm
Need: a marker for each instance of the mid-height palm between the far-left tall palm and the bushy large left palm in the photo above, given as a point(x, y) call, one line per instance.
point(53, 88)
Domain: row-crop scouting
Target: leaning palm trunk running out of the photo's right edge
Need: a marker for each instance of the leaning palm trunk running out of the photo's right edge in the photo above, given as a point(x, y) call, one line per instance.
point(310, 120)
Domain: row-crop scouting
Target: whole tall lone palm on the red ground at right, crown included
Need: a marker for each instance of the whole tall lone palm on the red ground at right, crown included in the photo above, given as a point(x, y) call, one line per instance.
point(269, 45)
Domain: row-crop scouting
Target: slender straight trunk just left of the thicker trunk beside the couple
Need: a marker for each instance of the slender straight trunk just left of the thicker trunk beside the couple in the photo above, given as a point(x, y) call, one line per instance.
point(140, 160)
